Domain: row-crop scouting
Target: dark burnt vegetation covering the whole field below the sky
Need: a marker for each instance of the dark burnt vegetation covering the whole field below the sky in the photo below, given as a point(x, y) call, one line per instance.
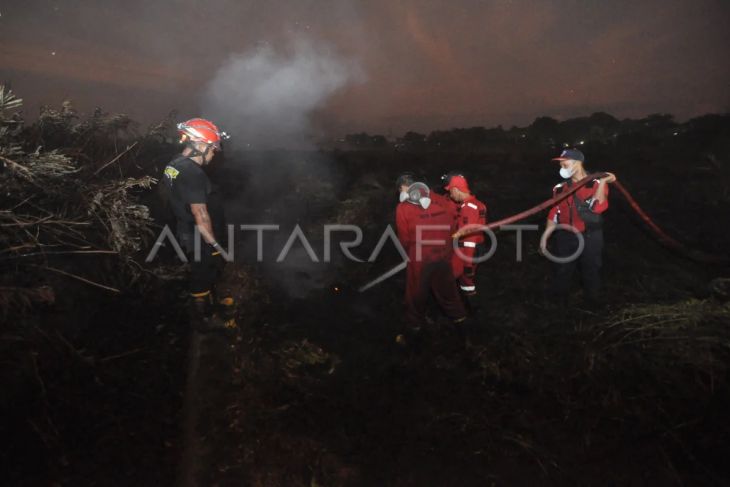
point(312, 390)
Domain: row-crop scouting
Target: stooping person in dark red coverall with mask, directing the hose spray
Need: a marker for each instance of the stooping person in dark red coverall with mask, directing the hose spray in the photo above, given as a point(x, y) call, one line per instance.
point(424, 228)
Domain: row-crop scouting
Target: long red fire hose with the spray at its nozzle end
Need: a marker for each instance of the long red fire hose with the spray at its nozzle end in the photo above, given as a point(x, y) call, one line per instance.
point(665, 239)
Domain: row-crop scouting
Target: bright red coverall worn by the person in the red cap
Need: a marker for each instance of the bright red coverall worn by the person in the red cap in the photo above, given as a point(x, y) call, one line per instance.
point(470, 212)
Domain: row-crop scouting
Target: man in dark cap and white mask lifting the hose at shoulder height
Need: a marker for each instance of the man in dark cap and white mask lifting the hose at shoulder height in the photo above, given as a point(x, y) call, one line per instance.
point(578, 214)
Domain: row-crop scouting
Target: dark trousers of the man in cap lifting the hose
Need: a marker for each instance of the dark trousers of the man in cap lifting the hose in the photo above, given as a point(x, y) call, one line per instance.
point(565, 244)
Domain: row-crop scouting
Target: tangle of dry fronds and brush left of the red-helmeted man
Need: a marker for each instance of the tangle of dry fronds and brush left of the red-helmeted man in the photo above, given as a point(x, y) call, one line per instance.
point(52, 205)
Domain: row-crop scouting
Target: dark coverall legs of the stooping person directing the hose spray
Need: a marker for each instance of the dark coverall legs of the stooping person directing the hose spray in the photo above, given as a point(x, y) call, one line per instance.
point(424, 278)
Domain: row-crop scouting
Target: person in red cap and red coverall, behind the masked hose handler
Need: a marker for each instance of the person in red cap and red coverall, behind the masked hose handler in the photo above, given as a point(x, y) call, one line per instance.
point(469, 211)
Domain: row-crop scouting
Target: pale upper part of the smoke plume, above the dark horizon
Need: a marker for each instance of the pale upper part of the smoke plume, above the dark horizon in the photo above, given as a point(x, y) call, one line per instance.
point(266, 99)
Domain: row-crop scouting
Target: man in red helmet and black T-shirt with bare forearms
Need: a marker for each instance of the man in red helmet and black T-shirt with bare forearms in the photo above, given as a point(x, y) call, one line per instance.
point(196, 205)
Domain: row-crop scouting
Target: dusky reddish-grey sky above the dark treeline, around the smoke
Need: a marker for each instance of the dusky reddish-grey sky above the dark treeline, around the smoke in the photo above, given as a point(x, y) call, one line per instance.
point(427, 63)
